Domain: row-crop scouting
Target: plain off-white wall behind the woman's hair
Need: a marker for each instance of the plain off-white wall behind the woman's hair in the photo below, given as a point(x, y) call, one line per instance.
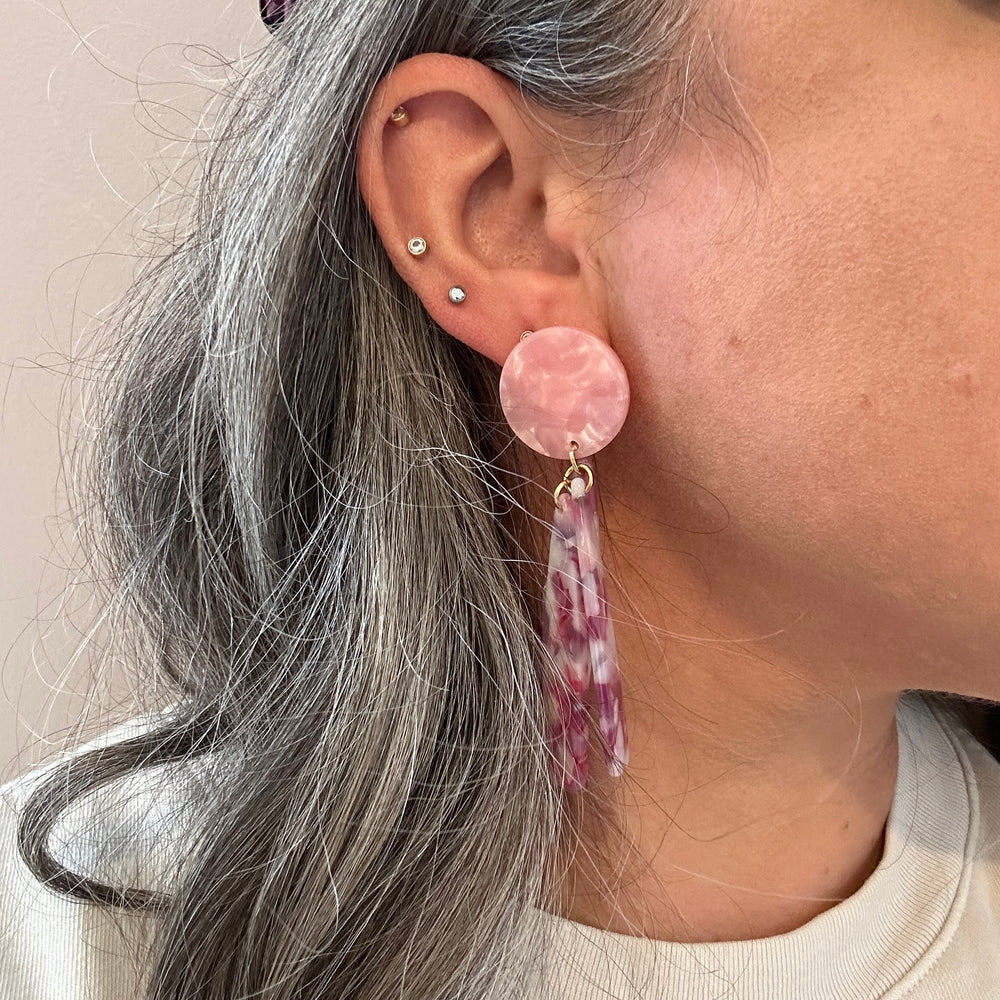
point(93, 98)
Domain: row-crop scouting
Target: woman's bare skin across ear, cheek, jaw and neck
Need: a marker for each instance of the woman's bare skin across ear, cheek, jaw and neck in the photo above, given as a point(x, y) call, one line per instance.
point(801, 516)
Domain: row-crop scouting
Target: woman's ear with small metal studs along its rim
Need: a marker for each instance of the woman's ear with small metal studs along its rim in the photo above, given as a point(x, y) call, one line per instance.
point(475, 172)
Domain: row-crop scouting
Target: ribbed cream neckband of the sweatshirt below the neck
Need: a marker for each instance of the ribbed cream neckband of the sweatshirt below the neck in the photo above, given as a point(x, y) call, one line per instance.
point(903, 915)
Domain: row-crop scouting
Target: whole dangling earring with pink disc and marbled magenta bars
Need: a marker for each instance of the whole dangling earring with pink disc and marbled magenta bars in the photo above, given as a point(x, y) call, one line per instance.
point(565, 393)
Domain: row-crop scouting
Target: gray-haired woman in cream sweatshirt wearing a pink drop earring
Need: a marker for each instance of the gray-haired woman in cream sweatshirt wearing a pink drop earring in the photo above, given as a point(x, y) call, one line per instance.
point(329, 536)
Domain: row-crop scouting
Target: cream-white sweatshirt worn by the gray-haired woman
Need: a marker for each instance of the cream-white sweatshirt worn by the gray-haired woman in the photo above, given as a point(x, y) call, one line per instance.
point(924, 926)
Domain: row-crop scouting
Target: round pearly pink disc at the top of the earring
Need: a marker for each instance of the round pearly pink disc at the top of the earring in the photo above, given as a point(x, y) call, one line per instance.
point(560, 385)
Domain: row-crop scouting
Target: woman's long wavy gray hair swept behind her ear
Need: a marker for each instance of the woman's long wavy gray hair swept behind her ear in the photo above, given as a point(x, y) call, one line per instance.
point(304, 498)
